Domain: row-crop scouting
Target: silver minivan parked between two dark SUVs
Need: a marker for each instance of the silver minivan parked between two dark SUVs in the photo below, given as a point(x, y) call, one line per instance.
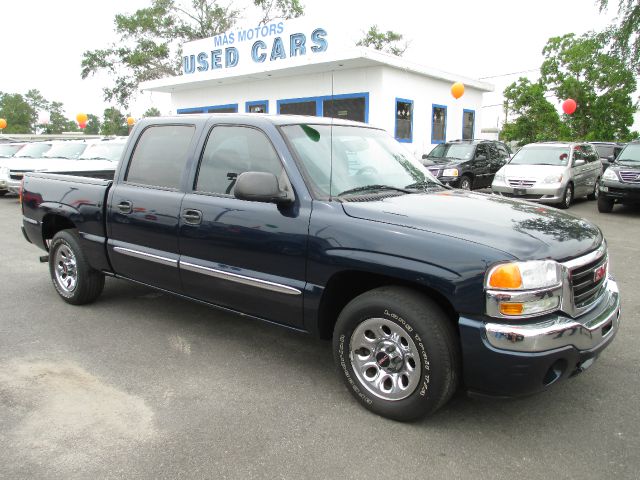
point(550, 172)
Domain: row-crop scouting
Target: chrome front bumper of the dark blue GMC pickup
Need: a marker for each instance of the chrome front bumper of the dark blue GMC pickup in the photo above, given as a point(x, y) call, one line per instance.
point(586, 332)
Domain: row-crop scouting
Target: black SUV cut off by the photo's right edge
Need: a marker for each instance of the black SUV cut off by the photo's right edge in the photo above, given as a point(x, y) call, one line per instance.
point(621, 182)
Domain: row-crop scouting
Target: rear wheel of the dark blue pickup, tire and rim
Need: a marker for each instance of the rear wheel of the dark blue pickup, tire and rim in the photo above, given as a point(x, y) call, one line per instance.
point(72, 276)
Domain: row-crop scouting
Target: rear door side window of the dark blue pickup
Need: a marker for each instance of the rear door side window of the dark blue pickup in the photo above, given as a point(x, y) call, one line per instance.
point(160, 156)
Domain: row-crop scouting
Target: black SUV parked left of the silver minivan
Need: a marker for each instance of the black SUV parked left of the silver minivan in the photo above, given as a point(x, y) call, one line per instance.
point(467, 164)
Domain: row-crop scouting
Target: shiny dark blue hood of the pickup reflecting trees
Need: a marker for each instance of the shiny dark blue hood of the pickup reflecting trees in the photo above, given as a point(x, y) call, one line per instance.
point(523, 230)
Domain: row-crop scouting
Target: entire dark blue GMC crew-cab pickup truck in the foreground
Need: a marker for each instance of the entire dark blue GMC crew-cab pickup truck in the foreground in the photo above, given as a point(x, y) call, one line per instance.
point(331, 228)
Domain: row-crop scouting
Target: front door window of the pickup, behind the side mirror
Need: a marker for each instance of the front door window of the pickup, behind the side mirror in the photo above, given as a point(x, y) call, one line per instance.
point(231, 151)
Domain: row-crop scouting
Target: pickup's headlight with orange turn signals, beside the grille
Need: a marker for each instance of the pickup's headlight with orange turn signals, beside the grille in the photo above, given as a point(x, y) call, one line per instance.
point(520, 289)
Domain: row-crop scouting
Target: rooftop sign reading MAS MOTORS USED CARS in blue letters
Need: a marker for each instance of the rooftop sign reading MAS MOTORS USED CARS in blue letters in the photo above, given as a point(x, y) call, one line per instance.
point(253, 49)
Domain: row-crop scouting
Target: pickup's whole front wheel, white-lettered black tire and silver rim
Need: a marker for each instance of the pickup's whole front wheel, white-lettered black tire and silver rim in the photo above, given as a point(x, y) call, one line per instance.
point(420, 323)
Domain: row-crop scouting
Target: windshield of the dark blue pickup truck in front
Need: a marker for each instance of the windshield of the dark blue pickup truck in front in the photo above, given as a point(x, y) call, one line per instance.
point(362, 157)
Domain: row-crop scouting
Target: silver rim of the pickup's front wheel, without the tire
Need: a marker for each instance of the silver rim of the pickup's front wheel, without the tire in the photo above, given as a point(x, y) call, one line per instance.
point(385, 359)
